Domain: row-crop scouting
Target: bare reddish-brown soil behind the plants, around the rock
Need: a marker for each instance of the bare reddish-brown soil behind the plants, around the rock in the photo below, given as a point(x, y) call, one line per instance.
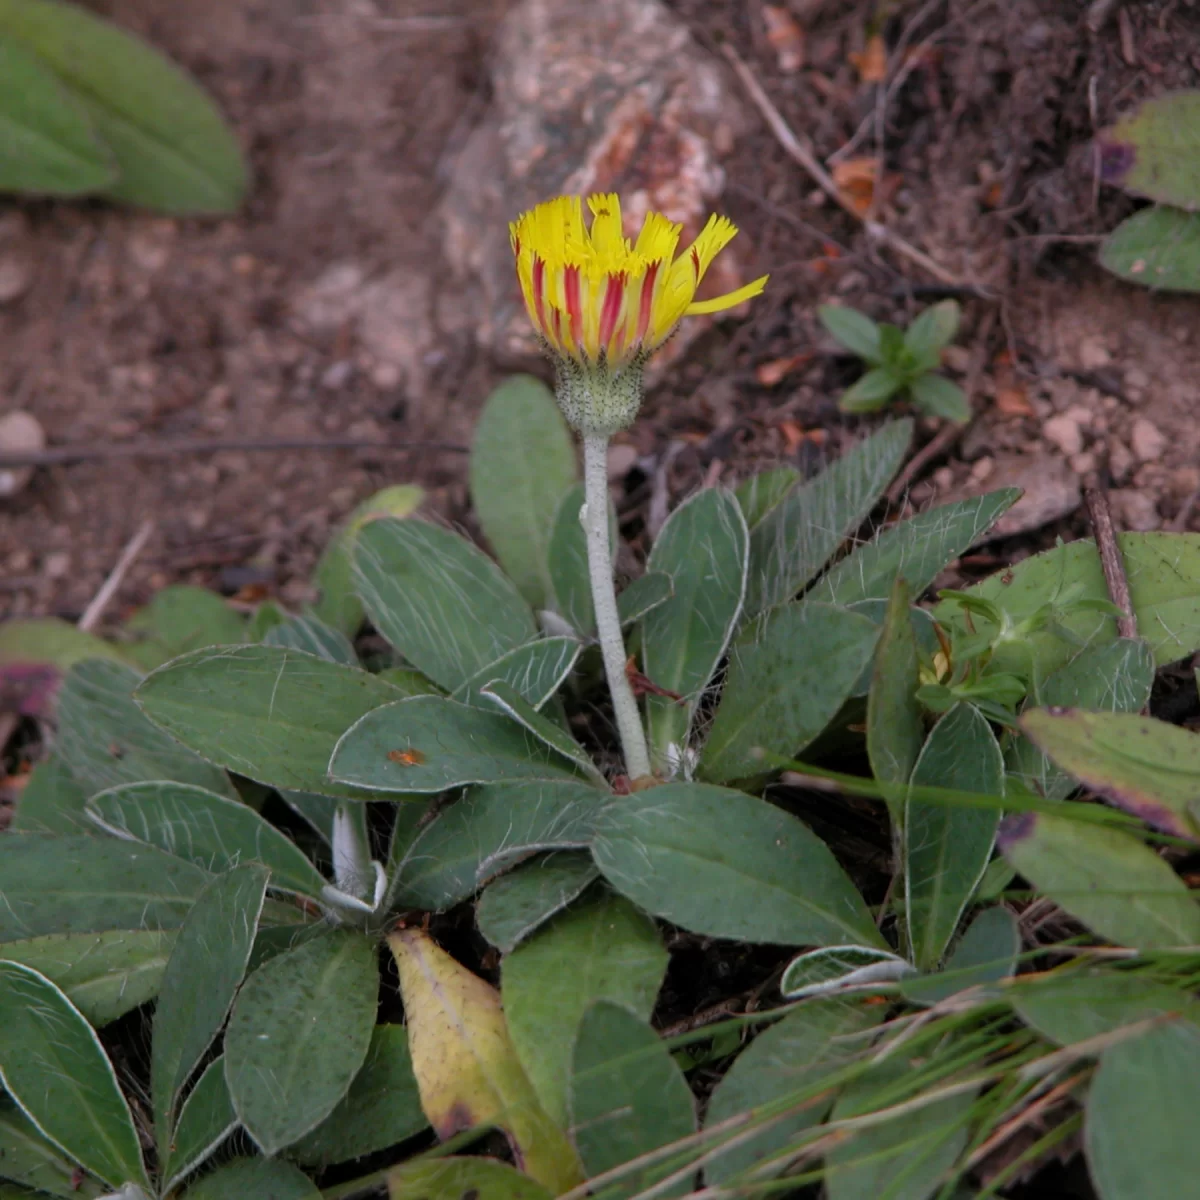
point(296, 319)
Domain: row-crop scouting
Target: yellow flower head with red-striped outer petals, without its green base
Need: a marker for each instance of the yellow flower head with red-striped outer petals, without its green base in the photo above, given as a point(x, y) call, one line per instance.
point(602, 302)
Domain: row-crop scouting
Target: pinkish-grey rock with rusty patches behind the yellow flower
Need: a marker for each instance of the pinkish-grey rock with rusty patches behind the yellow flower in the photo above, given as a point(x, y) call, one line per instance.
point(614, 97)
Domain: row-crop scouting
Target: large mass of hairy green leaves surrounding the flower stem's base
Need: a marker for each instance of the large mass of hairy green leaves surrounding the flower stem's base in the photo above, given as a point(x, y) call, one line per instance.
point(238, 812)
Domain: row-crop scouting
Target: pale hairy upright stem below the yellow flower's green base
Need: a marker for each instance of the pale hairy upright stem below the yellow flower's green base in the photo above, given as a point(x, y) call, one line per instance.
point(604, 599)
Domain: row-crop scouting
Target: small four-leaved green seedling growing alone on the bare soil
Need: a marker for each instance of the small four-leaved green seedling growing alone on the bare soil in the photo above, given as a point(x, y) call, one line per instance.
point(902, 362)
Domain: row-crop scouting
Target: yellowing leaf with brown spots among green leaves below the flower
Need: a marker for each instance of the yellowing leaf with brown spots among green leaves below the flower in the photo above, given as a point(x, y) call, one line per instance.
point(466, 1069)
